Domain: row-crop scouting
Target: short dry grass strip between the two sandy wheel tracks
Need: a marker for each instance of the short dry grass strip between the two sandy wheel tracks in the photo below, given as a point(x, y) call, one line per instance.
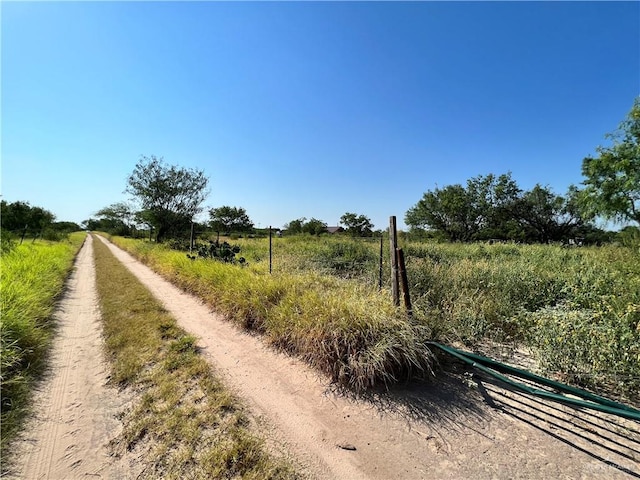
point(186, 424)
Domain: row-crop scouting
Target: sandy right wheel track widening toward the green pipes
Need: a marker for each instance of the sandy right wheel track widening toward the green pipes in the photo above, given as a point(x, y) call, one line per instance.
point(446, 432)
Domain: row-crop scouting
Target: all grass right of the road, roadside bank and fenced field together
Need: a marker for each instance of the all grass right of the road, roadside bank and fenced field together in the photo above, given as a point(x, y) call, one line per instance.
point(577, 309)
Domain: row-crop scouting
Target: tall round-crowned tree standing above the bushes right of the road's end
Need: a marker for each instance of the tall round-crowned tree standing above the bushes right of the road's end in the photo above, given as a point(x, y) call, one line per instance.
point(169, 196)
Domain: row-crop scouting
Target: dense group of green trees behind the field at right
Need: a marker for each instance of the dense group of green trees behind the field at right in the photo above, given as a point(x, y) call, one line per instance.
point(494, 207)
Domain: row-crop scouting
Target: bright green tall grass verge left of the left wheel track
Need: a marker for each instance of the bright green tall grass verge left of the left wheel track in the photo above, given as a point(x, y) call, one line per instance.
point(33, 276)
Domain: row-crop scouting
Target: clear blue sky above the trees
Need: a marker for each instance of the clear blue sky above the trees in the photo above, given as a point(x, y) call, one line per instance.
point(298, 109)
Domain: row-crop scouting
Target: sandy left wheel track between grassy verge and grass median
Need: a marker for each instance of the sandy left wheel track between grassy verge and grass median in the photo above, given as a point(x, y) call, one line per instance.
point(75, 412)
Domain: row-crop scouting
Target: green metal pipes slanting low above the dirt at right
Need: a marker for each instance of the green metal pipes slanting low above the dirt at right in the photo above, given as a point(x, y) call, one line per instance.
point(488, 366)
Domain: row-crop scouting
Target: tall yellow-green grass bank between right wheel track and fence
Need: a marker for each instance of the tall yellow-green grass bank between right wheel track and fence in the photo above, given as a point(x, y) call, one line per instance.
point(344, 328)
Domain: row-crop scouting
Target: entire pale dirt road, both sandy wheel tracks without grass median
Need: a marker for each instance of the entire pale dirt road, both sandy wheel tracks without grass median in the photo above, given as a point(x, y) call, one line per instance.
point(460, 427)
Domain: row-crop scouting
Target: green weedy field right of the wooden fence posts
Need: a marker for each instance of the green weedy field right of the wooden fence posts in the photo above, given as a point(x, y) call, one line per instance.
point(578, 309)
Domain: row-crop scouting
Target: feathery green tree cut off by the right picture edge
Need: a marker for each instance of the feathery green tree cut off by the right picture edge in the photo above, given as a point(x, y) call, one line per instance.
point(612, 178)
